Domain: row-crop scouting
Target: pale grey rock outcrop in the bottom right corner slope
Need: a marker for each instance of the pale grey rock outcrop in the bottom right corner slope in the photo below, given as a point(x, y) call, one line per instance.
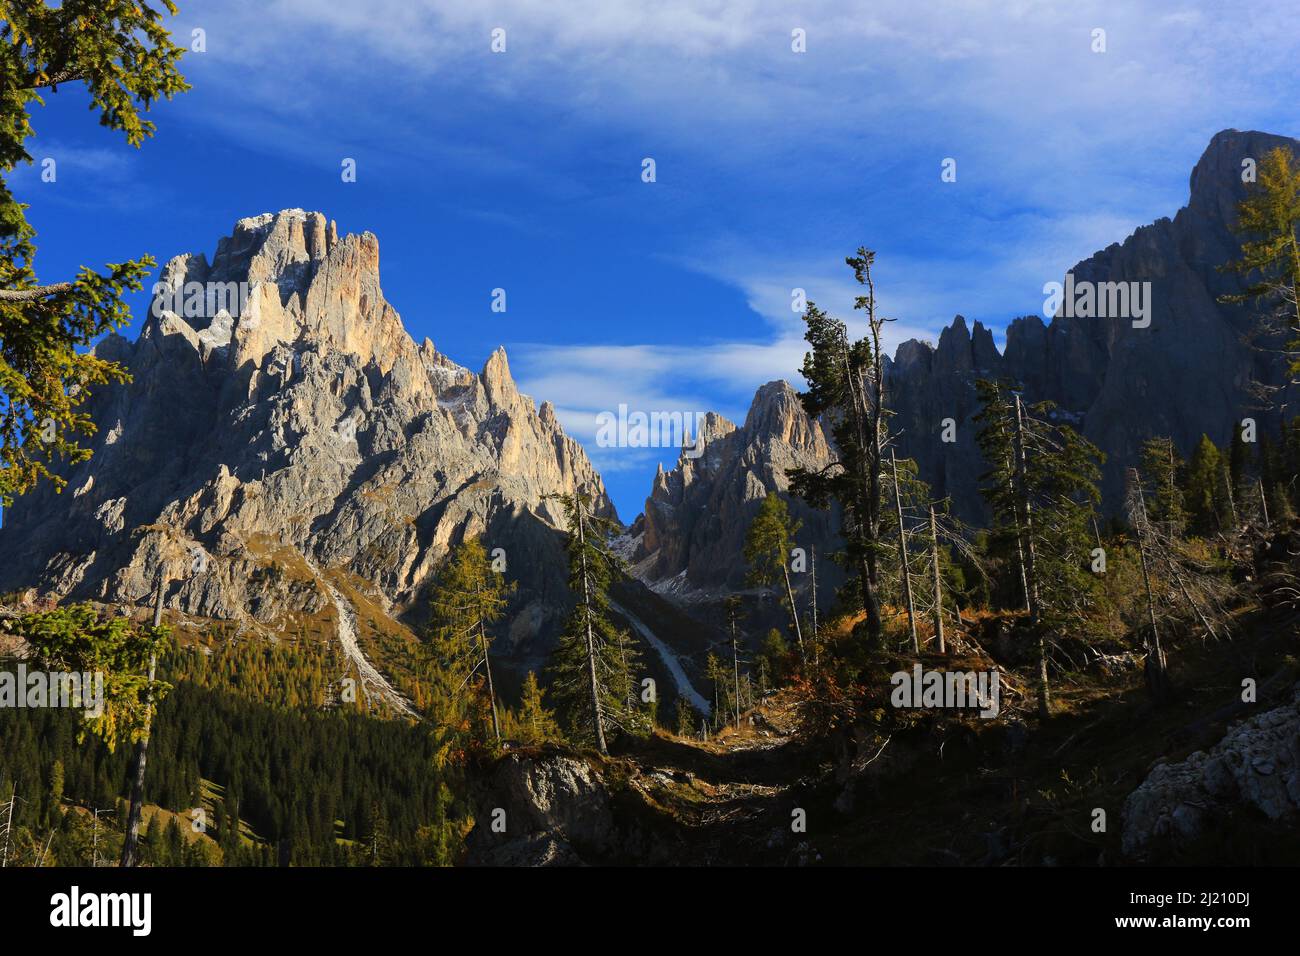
point(1256, 765)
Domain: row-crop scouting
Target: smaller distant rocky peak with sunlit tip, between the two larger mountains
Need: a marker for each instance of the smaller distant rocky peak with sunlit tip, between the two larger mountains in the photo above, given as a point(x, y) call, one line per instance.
point(692, 534)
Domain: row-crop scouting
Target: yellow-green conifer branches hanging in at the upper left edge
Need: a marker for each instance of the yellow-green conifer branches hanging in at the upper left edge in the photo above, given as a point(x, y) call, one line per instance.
point(124, 57)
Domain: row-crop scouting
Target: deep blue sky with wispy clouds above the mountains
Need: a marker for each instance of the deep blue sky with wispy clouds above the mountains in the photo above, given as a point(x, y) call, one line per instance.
point(523, 170)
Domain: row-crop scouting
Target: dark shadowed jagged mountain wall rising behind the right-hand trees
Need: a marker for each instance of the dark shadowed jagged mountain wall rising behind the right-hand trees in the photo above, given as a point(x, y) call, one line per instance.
point(1189, 373)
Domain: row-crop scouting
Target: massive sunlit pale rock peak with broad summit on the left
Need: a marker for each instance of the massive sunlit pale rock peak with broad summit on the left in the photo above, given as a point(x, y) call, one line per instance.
point(304, 429)
